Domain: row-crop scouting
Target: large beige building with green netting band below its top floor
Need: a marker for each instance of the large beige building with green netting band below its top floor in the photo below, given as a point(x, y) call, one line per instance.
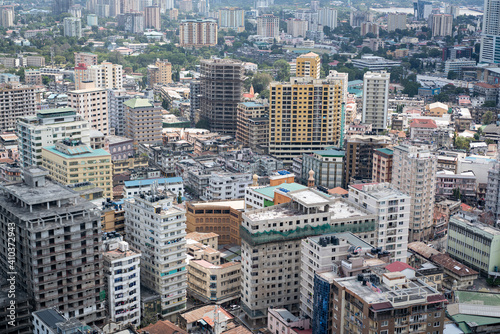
point(271, 239)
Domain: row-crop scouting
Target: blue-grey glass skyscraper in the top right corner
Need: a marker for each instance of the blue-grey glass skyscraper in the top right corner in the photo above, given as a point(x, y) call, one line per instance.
point(490, 34)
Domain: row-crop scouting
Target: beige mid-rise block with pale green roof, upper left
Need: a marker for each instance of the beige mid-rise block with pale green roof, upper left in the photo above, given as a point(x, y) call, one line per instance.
point(143, 121)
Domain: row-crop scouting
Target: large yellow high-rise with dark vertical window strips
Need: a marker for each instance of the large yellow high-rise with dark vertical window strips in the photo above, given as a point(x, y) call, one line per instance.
point(305, 114)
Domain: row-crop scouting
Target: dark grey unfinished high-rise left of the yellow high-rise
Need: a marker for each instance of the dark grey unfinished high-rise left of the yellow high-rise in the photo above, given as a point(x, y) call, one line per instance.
point(221, 91)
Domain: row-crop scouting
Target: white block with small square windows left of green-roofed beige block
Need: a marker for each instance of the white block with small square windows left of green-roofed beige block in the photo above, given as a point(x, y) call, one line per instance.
point(92, 104)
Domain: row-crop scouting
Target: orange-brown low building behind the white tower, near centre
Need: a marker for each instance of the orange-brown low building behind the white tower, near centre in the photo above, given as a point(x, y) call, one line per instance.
point(221, 217)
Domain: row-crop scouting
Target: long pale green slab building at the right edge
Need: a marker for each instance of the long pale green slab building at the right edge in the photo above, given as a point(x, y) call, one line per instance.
point(475, 245)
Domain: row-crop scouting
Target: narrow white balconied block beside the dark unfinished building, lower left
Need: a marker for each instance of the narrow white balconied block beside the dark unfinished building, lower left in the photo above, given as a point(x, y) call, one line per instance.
point(122, 279)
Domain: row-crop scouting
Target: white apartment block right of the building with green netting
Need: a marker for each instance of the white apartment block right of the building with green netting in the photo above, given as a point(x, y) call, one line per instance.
point(393, 210)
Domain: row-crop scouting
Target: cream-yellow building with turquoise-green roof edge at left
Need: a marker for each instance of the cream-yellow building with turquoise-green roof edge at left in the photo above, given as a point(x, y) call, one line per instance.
point(70, 162)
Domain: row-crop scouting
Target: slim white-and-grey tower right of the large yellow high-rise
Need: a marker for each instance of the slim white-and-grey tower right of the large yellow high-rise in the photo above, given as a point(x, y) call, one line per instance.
point(375, 100)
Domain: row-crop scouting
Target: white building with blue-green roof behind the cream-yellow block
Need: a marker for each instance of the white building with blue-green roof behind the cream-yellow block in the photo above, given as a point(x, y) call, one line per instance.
point(45, 128)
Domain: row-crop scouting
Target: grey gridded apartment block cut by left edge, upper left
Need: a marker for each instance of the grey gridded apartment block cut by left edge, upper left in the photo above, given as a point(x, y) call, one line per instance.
point(15, 103)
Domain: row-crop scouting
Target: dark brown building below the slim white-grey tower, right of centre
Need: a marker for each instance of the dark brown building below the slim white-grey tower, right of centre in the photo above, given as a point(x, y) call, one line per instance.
point(358, 161)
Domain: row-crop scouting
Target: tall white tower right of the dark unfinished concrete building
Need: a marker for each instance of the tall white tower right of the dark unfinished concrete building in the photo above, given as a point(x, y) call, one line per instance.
point(156, 228)
